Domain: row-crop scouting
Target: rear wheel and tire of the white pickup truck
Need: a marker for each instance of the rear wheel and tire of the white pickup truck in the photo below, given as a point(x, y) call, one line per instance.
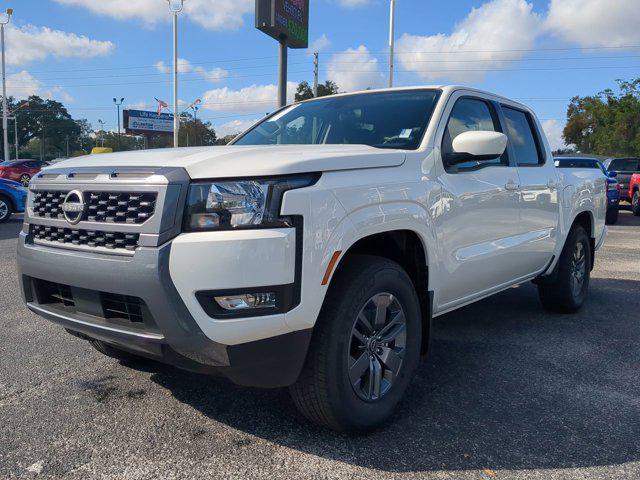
point(567, 292)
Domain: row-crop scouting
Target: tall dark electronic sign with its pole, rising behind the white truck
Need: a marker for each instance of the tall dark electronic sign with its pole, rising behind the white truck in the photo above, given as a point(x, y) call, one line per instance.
point(287, 21)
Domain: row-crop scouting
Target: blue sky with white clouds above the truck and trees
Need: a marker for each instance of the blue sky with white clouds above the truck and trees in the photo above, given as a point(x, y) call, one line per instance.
point(543, 52)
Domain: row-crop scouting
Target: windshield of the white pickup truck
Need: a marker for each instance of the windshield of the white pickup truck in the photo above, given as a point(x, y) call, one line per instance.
point(383, 120)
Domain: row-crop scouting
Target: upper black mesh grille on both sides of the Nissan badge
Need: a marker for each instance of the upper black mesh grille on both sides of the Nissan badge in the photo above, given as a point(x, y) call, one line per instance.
point(103, 207)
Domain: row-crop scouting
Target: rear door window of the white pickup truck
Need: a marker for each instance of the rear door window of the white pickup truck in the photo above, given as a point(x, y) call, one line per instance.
point(523, 137)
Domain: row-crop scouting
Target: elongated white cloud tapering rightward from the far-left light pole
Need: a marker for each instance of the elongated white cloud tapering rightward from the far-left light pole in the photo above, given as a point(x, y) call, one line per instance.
point(30, 43)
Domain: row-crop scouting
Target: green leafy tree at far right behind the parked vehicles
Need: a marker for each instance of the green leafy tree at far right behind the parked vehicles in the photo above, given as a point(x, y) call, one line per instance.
point(607, 123)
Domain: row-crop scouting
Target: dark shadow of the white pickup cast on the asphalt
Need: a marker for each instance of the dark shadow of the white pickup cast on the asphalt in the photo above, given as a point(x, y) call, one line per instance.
point(507, 386)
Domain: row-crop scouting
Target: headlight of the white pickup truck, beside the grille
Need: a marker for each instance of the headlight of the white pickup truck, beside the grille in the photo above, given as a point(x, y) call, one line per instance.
point(236, 204)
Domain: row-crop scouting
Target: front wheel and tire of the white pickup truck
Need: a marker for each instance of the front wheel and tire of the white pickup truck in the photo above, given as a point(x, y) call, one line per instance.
point(365, 349)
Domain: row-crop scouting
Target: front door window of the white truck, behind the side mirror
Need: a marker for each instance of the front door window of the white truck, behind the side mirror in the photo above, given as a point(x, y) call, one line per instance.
point(469, 114)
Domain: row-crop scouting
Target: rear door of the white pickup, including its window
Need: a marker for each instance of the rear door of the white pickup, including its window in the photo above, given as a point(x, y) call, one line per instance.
point(539, 207)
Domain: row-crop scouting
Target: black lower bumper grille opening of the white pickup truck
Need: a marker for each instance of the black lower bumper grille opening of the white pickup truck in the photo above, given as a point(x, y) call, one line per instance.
point(109, 307)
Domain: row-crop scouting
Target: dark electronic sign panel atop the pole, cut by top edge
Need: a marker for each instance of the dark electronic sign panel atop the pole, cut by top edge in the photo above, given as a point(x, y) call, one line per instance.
point(284, 20)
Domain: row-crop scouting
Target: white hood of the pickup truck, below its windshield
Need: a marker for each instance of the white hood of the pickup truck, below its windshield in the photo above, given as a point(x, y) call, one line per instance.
point(243, 161)
